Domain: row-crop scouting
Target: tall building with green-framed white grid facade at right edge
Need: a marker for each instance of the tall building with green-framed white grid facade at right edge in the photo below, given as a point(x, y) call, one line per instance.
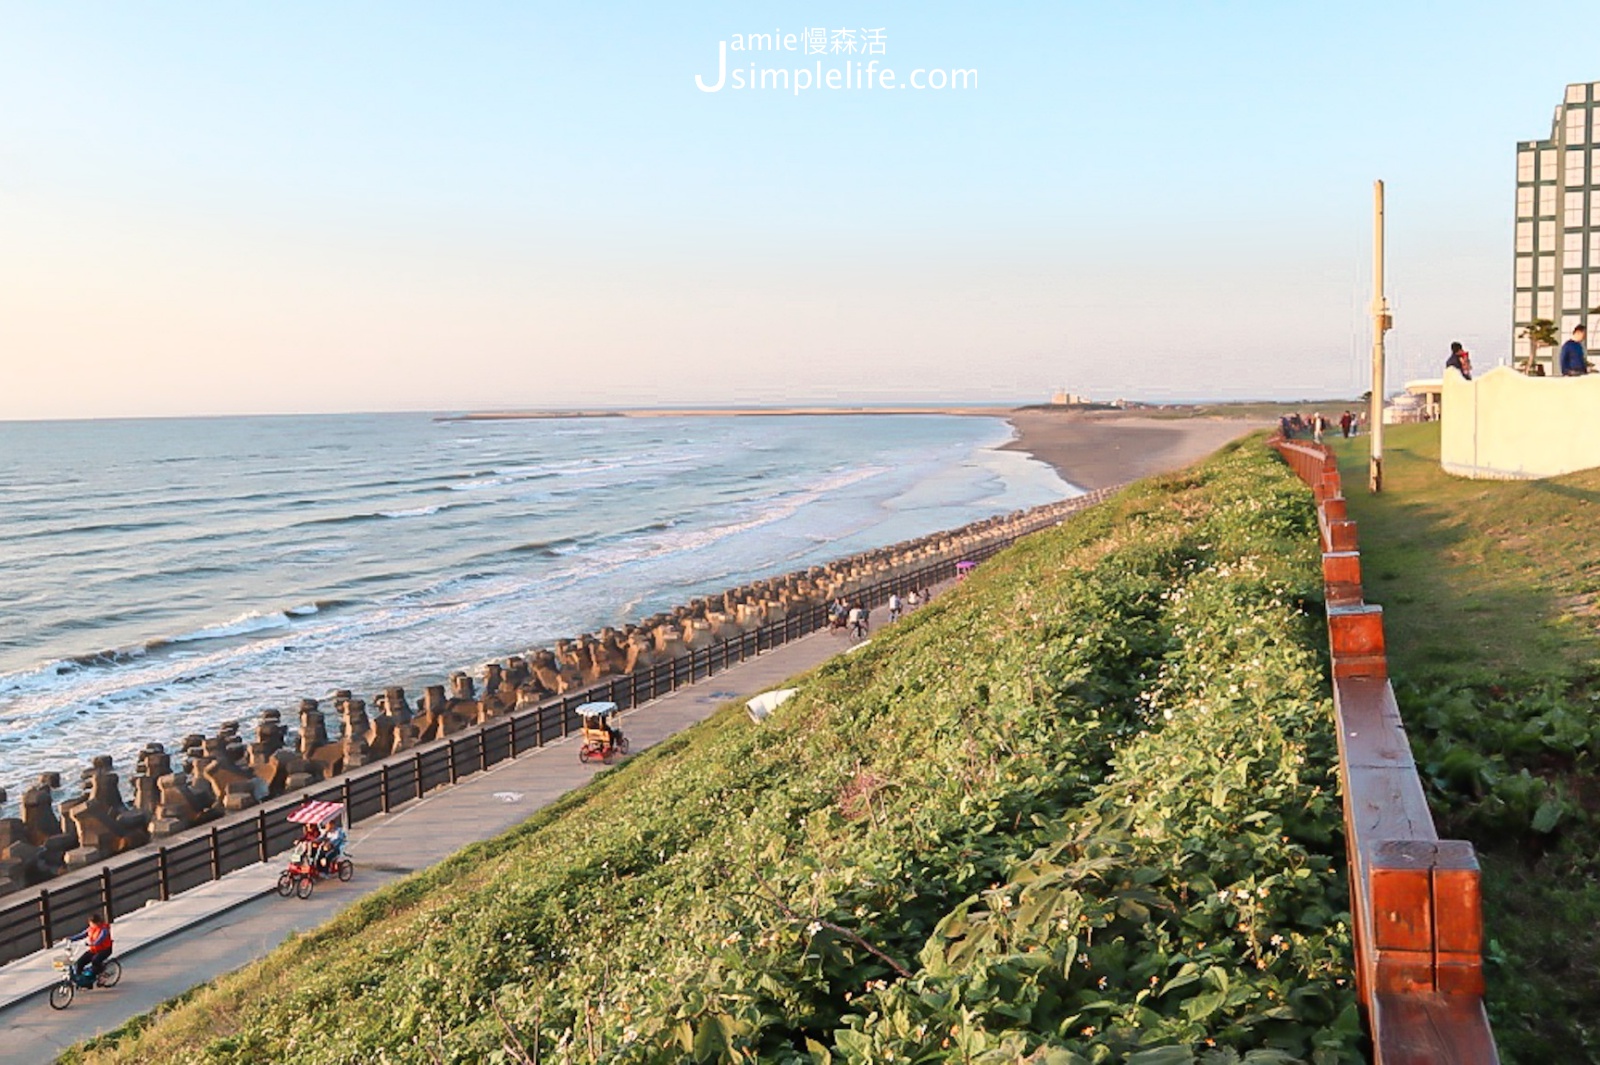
point(1559, 221)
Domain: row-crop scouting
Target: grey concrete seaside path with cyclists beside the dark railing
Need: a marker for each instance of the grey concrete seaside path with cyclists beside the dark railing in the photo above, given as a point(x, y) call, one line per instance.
point(241, 917)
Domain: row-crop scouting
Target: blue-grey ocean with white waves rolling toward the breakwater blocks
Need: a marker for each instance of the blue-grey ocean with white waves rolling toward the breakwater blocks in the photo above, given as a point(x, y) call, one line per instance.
point(162, 576)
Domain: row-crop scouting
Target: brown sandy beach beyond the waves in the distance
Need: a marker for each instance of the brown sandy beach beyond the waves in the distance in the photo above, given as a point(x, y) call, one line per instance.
point(1100, 449)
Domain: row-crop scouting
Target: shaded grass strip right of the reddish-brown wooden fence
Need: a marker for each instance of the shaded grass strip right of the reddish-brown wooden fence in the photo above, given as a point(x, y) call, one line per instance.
point(1489, 591)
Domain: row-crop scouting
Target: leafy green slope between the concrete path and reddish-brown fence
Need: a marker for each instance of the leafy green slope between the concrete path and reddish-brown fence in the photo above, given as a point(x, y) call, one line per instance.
point(1081, 810)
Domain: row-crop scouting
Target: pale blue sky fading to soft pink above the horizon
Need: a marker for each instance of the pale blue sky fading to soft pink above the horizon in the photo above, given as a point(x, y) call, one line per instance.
point(359, 207)
